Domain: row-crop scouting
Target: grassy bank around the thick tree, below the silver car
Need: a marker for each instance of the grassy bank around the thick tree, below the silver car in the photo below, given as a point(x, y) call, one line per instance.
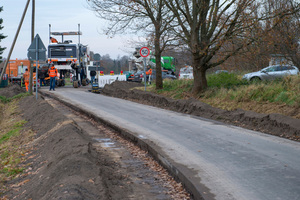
point(229, 92)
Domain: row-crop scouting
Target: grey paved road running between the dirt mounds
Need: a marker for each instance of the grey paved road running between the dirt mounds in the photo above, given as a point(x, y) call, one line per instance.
point(231, 162)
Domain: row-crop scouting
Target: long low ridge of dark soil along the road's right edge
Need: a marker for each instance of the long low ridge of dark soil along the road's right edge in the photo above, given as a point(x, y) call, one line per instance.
point(274, 124)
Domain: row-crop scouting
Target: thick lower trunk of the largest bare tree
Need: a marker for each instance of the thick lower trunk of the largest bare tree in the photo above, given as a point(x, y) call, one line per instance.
point(199, 72)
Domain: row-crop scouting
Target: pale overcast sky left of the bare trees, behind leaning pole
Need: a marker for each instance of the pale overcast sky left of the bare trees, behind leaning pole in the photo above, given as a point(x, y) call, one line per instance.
point(63, 15)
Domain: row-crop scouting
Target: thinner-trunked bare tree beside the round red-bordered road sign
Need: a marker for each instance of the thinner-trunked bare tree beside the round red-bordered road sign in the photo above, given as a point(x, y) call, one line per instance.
point(138, 15)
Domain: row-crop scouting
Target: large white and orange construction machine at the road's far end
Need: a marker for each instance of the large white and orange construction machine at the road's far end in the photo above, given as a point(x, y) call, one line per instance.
point(68, 57)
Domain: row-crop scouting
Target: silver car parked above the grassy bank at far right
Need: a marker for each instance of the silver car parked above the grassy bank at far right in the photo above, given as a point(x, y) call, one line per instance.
point(272, 72)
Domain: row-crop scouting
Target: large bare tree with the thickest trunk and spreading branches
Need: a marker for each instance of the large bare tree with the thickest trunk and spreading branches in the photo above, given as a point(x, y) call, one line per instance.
point(208, 25)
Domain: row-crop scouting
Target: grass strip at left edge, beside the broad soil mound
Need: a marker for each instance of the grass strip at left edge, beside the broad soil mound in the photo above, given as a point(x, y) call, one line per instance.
point(13, 138)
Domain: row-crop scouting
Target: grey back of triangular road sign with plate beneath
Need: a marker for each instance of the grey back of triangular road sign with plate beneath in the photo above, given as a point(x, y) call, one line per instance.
point(37, 49)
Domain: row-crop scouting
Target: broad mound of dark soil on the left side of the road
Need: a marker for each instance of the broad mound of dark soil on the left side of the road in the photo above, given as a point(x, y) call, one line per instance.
point(64, 164)
